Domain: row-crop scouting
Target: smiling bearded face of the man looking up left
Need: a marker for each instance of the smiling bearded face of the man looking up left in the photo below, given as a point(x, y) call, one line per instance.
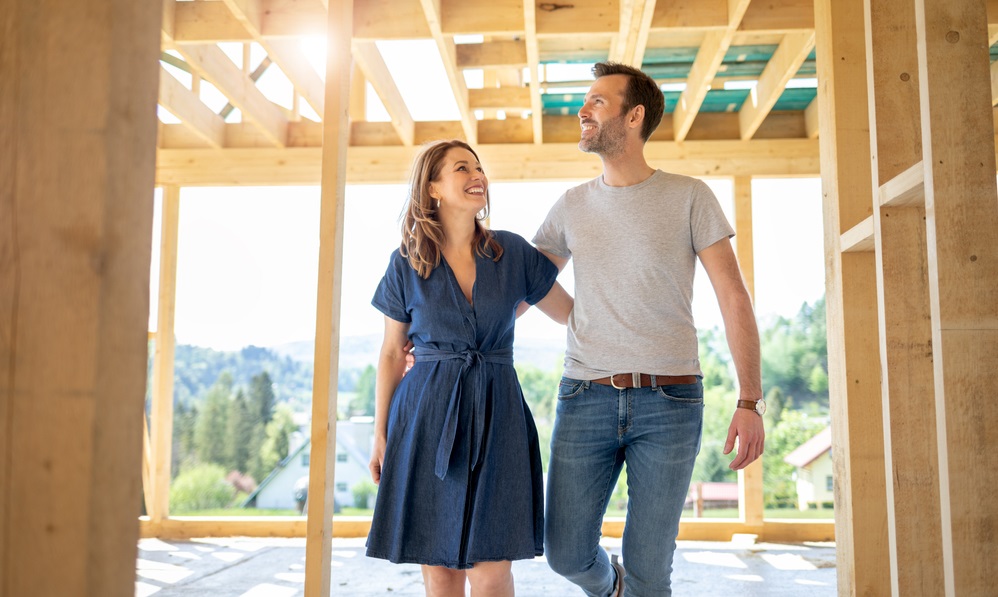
point(602, 117)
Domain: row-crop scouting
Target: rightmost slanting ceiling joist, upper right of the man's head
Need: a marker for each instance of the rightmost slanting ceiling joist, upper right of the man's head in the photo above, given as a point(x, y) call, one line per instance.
point(784, 64)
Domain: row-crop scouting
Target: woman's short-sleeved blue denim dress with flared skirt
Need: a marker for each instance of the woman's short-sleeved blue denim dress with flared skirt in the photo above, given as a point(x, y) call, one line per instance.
point(461, 480)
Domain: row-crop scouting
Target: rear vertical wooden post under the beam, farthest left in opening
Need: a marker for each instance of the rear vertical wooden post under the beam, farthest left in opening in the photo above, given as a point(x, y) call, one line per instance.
point(161, 434)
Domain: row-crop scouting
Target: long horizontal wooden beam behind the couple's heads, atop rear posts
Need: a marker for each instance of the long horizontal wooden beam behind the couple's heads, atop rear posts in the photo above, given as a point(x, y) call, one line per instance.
point(550, 161)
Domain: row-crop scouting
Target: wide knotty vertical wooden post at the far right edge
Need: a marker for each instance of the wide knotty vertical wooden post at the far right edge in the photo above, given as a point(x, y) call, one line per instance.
point(961, 205)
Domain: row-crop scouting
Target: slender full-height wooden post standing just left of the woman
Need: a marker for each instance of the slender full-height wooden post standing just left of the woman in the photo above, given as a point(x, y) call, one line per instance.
point(318, 549)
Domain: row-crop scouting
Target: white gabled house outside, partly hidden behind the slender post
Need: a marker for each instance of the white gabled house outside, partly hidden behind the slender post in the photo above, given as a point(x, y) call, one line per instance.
point(354, 439)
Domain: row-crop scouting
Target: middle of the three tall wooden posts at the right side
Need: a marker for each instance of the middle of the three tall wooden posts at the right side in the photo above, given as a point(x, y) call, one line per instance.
point(903, 305)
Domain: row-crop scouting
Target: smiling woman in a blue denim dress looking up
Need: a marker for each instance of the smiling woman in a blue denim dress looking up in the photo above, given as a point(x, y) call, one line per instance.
point(455, 450)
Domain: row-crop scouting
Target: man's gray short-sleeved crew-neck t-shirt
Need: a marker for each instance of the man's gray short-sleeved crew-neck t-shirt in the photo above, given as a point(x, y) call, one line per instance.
point(634, 254)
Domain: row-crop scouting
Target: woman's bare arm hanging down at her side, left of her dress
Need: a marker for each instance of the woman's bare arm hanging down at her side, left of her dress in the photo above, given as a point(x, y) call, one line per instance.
point(391, 367)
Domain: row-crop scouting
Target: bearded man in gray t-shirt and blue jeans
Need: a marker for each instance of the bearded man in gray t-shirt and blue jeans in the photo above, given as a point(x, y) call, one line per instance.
point(632, 390)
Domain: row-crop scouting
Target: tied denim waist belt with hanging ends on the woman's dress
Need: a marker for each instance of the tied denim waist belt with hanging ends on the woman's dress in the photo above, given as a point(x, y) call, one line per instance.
point(473, 364)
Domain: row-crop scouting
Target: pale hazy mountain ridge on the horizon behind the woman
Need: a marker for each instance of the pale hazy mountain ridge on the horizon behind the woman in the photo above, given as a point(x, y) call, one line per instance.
point(357, 352)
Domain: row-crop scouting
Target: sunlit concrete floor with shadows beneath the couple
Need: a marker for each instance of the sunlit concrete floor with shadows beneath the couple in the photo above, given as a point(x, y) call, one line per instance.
point(248, 567)
